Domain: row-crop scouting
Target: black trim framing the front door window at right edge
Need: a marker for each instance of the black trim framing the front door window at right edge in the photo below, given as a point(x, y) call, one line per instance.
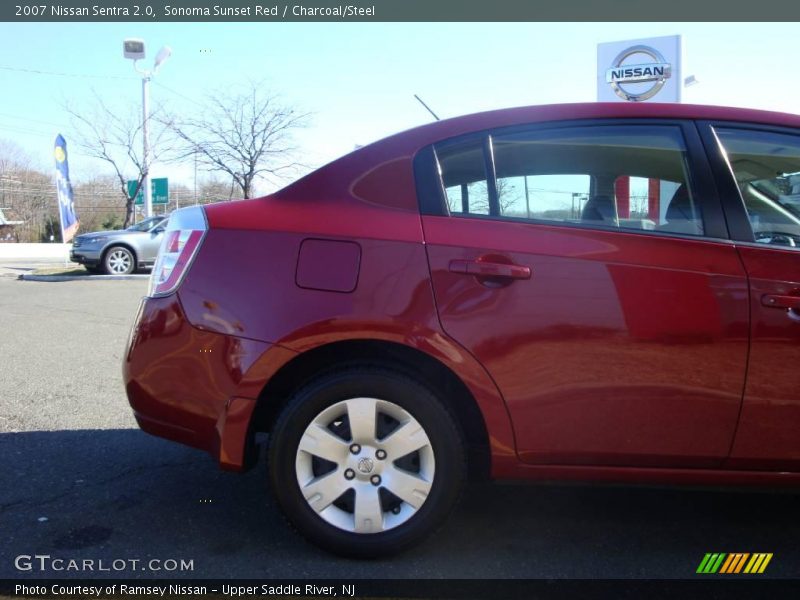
point(730, 195)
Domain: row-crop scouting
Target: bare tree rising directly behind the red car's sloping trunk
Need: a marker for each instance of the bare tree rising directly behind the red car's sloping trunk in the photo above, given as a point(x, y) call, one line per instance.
point(245, 134)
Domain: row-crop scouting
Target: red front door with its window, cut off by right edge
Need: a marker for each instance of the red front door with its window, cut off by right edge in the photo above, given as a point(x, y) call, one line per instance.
point(759, 179)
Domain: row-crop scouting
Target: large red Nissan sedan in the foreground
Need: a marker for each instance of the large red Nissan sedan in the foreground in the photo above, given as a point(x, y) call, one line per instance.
point(588, 291)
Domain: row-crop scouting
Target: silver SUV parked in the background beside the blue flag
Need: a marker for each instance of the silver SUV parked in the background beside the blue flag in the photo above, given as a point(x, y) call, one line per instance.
point(120, 252)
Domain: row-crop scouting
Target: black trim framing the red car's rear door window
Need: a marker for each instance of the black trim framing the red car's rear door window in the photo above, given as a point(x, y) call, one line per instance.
point(702, 179)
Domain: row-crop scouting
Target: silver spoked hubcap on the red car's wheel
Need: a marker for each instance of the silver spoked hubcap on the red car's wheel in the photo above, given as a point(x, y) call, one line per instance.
point(365, 465)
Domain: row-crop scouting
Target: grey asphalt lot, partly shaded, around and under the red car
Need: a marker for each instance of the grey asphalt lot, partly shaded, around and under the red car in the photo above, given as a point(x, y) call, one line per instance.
point(79, 481)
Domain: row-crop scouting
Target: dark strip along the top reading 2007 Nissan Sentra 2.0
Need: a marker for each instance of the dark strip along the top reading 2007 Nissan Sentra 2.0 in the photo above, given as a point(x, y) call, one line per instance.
point(152, 11)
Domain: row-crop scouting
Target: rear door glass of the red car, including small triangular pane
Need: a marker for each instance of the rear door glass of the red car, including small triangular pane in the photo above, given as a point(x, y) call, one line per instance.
point(624, 177)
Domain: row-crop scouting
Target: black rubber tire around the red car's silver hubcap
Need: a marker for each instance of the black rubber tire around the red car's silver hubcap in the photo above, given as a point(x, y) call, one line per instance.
point(392, 389)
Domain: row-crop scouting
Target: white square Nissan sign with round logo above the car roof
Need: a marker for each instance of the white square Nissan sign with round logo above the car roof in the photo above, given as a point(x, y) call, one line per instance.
point(639, 70)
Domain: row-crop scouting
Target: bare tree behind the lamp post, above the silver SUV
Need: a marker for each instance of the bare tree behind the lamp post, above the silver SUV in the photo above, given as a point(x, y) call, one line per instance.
point(116, 139)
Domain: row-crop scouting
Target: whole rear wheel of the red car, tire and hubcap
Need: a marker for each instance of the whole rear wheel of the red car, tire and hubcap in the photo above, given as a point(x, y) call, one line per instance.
point(366, 462)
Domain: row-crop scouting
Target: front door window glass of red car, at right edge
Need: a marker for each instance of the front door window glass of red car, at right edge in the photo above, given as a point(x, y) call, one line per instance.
point(766, 166)
